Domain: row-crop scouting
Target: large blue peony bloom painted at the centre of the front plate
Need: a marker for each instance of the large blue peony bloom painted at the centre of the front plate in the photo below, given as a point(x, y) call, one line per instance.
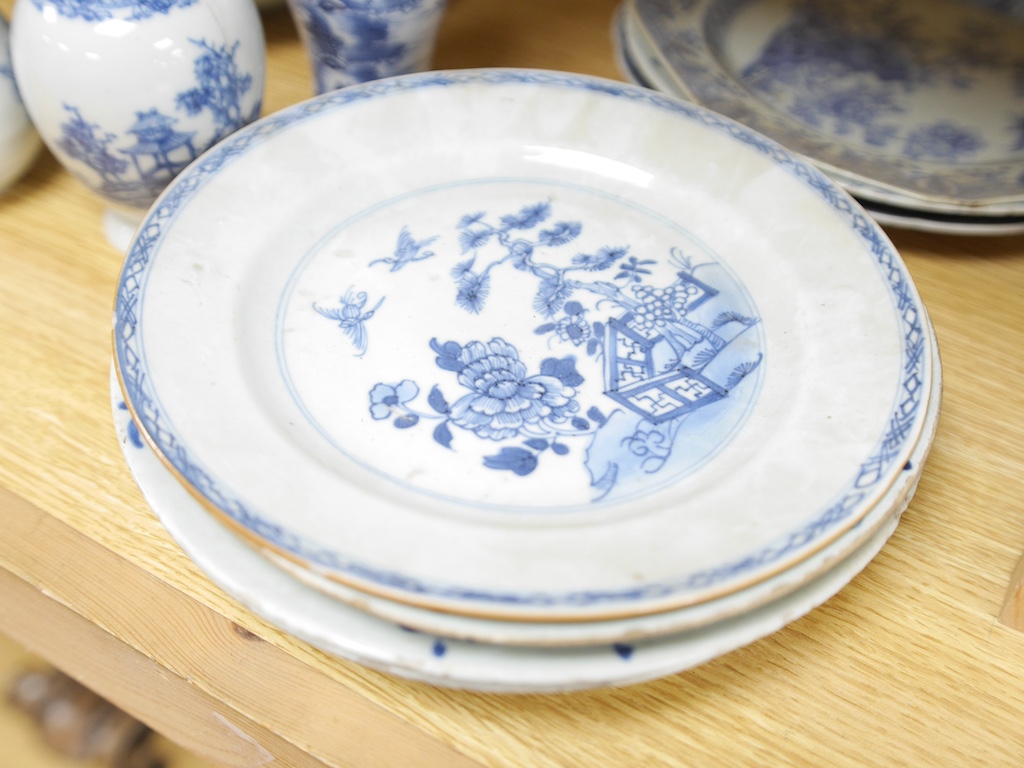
point(503, 399)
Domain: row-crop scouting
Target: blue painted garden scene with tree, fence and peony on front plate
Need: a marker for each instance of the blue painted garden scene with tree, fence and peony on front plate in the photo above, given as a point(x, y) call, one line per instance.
point(655, 352)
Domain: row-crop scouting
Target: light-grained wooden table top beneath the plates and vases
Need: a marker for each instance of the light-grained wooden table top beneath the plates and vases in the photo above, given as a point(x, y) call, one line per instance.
point(908, 666)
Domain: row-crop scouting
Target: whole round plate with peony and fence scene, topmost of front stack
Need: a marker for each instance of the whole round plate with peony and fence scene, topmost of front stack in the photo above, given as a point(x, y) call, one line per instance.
point(523, 345)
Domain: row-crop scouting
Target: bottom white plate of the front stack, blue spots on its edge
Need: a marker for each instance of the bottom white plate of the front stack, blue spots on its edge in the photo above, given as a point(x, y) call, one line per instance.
point(348, 632)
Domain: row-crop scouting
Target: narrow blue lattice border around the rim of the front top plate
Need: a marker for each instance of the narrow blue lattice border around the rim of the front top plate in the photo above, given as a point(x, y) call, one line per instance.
point(135, 378)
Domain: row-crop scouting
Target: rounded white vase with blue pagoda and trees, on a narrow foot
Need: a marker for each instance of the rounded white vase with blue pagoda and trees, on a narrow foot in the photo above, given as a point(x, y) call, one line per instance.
point(126, 94)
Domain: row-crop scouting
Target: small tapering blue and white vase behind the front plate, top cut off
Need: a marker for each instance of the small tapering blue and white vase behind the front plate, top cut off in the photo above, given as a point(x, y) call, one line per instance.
point(353, 41)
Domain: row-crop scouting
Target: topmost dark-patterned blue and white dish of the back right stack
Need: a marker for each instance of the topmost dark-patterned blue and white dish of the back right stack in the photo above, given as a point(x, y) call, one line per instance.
point(917, 105)
